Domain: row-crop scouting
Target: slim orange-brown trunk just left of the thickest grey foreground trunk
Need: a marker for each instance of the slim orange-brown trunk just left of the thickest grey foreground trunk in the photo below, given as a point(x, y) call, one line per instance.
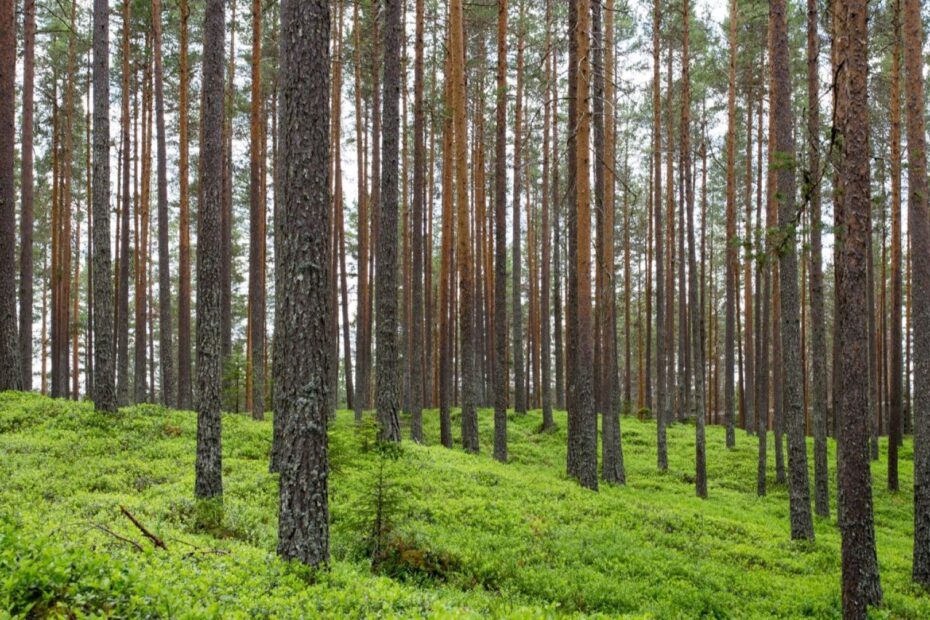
point(256, 361)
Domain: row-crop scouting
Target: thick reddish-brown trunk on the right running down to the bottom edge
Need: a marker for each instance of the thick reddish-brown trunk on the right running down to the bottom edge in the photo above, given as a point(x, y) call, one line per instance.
point(861, 585)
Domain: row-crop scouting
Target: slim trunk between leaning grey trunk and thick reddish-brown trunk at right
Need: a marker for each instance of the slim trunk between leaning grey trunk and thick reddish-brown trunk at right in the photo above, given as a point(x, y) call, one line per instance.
point(818, 331)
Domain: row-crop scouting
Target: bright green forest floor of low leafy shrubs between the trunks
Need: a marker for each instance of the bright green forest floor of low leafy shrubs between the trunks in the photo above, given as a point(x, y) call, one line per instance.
point(463, 535)
